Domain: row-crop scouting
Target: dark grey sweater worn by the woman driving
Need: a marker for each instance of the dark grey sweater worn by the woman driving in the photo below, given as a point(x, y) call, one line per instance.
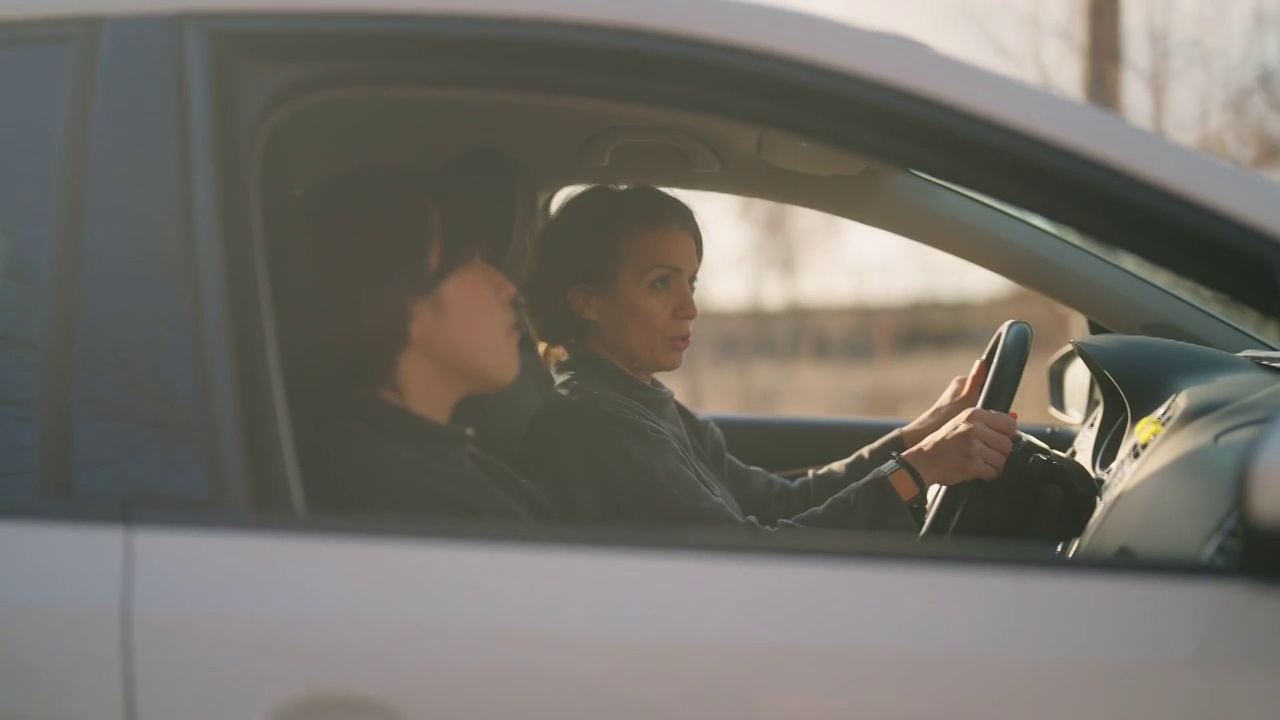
point(609, 448)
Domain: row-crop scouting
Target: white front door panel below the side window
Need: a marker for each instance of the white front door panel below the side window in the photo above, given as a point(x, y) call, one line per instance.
point(268, 625)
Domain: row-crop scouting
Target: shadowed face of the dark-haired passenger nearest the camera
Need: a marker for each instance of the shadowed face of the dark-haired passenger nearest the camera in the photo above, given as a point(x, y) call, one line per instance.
point(468, 332)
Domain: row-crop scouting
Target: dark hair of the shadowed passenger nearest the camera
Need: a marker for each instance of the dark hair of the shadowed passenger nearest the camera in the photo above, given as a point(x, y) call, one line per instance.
point(376, 250)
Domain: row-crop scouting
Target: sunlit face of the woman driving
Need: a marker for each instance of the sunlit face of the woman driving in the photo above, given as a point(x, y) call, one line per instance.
point(646, 323)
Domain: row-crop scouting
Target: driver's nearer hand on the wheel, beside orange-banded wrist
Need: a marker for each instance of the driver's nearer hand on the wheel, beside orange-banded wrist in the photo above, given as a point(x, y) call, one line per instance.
point(972, 445)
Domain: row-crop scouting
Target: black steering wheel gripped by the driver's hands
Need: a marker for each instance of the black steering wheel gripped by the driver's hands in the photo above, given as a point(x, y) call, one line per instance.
point(1005, 361)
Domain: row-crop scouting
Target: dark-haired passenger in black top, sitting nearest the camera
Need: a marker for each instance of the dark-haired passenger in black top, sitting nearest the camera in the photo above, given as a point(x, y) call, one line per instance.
point(417, 320)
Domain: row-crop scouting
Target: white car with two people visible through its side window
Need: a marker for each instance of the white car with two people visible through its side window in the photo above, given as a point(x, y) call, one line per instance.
point(158, 560)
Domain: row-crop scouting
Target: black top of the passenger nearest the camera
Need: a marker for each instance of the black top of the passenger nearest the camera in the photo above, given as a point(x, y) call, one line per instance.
point(388, 461)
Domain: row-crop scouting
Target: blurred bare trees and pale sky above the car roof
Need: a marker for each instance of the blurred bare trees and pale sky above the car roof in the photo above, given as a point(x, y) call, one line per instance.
point(1200, 72)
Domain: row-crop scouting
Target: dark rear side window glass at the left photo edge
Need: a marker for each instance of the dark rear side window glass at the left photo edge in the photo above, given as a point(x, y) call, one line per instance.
point(33, 103)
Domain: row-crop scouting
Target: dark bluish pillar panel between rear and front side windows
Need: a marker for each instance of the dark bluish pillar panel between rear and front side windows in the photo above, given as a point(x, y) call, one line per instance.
point(136, 402)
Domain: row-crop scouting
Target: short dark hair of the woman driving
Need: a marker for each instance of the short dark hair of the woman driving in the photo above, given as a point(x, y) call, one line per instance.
point(579, 248)
